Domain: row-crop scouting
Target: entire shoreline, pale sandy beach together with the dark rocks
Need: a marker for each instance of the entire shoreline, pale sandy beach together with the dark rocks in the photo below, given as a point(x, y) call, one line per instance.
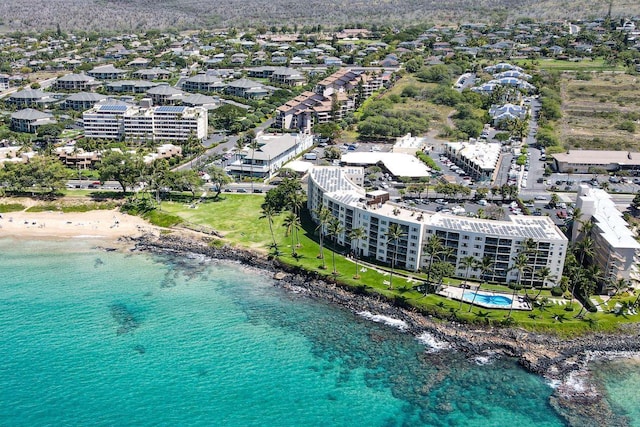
point(563, 363)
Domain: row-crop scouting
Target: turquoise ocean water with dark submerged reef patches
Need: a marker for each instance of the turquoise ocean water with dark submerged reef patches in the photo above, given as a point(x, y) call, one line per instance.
point(107, 338)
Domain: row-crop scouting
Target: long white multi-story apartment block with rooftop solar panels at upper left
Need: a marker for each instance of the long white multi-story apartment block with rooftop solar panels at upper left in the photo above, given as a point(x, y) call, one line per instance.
point(163, 123)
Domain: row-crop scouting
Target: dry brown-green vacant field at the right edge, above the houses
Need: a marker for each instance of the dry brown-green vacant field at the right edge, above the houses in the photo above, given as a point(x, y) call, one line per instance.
point(595, 111)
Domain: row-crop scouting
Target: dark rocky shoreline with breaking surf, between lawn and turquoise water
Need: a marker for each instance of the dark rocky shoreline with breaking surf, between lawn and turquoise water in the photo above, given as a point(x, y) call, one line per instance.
point(562, 362)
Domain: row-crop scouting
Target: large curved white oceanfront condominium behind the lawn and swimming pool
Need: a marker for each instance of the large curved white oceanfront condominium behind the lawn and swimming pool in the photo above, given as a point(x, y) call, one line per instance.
point(500, 241)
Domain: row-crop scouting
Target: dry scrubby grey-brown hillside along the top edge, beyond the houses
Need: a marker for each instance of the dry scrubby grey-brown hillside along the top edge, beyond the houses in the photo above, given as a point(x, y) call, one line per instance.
point(127, 15)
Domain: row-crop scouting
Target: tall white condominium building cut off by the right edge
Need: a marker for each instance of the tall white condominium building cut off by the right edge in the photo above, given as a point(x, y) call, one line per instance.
point(615, 249)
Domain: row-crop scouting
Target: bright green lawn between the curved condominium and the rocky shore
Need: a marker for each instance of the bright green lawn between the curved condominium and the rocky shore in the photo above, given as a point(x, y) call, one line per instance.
point(237, 217)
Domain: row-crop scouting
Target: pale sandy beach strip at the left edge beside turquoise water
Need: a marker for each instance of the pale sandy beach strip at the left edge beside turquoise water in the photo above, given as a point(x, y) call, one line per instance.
point(104, 224)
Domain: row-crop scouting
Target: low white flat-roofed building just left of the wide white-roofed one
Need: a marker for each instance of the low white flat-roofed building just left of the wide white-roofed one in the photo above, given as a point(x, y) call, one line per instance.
point(273, 151)
